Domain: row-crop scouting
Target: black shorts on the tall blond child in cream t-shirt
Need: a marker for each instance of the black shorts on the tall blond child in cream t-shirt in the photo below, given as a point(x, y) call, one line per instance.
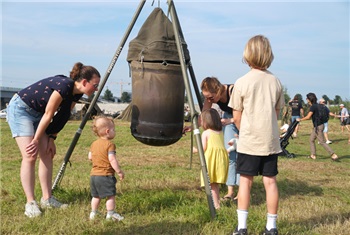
point(257, 165)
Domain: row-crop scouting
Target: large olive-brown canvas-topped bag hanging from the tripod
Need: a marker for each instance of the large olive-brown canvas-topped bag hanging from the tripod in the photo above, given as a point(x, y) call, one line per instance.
point(157, 83)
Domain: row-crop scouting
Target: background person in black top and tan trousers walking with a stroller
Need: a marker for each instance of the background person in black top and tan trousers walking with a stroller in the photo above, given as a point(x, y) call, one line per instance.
point(317, 131)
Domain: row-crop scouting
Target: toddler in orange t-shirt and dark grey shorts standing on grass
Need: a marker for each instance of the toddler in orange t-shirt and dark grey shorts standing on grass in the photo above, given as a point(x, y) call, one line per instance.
point(104, 164)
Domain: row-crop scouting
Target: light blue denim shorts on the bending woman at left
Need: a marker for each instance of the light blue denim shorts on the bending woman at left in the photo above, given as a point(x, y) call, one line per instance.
point(22, 119)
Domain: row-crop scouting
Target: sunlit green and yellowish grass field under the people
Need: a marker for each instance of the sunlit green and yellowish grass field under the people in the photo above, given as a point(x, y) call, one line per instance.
point(161, 194)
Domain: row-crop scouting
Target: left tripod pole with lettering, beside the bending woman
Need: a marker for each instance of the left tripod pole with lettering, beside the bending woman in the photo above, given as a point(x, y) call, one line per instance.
point(94, 100)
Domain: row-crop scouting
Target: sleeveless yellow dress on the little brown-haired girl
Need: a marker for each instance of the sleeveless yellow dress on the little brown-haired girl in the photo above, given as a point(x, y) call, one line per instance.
point(216, 158)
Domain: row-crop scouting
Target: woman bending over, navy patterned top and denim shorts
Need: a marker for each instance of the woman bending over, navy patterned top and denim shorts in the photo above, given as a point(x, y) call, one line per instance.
point(36, 115)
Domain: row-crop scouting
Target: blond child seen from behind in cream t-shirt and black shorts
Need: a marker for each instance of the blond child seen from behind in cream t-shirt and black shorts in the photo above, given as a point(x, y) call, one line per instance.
point(256, 103)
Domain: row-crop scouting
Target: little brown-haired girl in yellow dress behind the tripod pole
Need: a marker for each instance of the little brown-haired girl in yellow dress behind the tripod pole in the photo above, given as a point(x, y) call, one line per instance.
point(216, 156)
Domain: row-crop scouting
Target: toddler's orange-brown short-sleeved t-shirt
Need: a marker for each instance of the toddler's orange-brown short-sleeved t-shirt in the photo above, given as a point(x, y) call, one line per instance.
point(99, 155)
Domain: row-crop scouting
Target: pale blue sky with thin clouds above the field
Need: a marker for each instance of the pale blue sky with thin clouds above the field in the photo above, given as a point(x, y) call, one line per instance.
point(309, 39)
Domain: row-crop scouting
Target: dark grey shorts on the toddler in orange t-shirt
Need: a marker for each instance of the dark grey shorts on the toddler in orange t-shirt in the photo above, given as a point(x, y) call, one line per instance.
point(103, 186)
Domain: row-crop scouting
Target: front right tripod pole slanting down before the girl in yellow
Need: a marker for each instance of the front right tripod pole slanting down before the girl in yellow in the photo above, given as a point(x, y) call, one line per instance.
point(196, 131)
